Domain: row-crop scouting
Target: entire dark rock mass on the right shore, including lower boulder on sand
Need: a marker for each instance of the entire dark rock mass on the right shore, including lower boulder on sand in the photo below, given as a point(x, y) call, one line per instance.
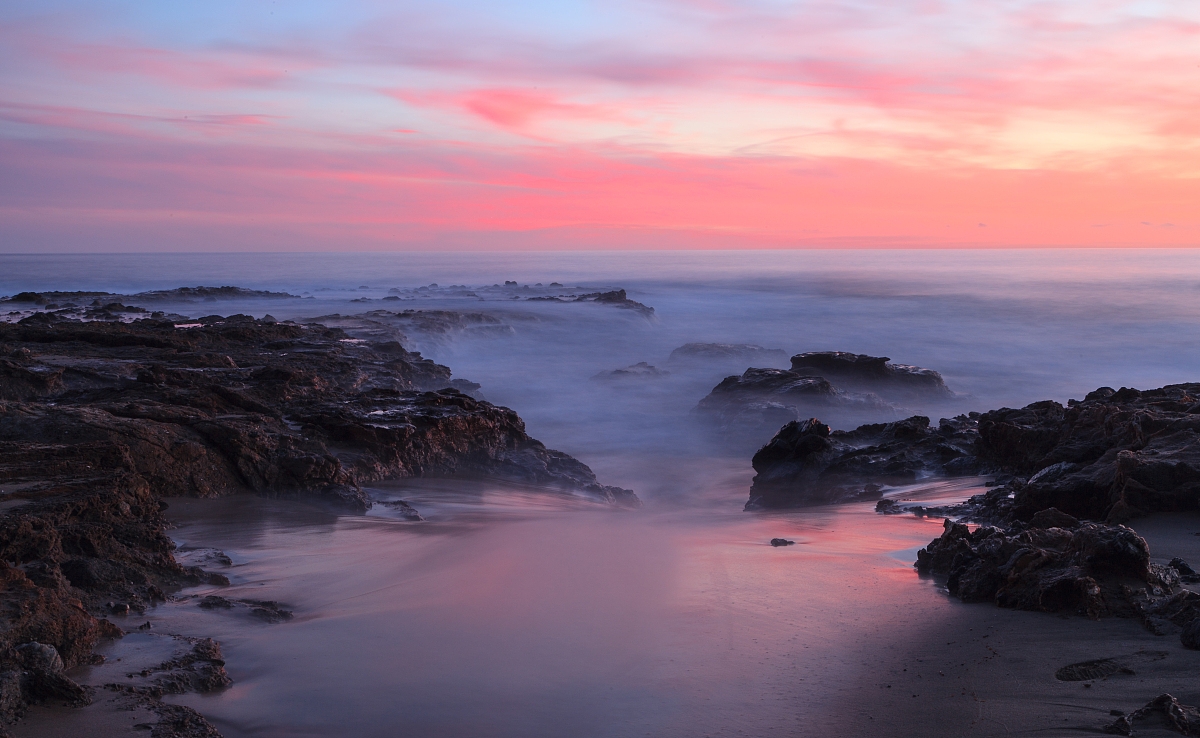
point(1067, 479)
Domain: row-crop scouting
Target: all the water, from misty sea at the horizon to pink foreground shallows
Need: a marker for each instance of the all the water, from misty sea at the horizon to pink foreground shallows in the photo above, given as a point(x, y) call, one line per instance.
point(514, 613)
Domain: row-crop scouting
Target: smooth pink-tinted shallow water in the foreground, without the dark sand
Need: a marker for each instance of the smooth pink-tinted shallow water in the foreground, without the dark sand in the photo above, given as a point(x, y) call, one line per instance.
point(507, 619)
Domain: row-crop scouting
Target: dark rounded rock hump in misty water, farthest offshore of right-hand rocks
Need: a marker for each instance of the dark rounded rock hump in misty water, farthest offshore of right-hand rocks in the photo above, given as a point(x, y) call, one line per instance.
point(874, 375)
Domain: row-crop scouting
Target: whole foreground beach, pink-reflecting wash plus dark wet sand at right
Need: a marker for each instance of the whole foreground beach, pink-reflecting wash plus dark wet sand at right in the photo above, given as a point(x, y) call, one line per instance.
point(524, 615)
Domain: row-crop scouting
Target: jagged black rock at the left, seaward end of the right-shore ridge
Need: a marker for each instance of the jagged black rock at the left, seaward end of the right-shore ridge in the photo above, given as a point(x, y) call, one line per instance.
point(807, 464)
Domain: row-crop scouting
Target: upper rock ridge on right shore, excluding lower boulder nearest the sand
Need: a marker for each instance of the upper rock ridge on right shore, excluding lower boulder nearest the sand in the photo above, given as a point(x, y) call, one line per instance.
point(1109, 458)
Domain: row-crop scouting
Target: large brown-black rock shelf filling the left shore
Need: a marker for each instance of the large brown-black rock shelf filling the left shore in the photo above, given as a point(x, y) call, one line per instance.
point(99, 422)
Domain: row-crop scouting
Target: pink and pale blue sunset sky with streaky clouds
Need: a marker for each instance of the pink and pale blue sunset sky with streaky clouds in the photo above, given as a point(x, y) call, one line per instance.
point(430, 125)
